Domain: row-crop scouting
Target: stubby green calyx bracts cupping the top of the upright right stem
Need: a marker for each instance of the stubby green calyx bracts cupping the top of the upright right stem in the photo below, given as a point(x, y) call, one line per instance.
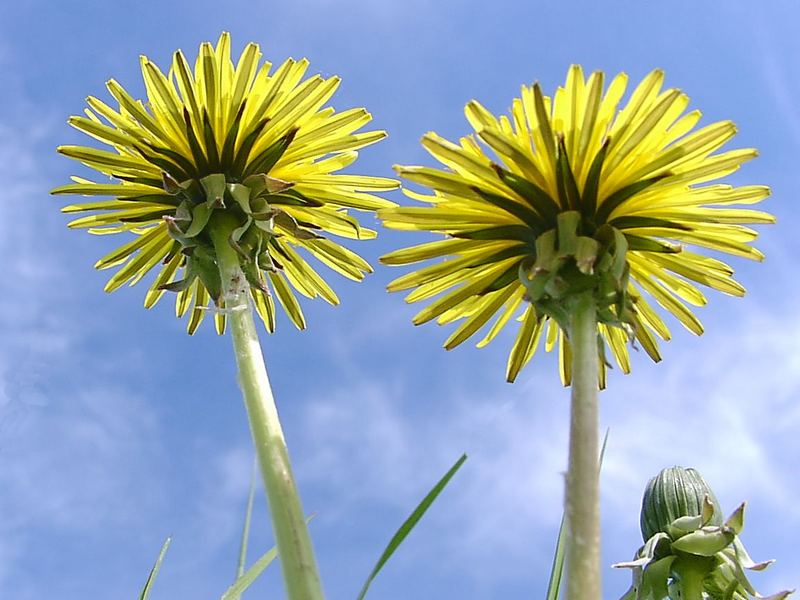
point(567, 263)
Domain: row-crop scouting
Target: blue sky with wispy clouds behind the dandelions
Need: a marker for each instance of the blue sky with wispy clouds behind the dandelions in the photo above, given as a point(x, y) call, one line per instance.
point(117, 429)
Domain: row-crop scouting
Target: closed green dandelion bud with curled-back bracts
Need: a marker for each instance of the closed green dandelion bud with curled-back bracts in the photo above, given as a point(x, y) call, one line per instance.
point(689, 552)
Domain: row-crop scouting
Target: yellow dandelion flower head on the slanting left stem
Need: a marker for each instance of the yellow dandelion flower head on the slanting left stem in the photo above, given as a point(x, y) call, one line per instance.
point(225, 139)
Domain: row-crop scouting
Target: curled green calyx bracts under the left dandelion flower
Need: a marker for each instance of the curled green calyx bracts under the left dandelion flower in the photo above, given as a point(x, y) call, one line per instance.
point(255, 205)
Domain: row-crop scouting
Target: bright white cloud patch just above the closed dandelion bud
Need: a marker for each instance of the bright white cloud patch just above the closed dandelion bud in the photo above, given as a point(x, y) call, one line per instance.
point(720, 412)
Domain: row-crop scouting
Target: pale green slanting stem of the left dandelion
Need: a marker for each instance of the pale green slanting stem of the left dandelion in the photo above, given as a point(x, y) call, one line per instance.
point(295, 550)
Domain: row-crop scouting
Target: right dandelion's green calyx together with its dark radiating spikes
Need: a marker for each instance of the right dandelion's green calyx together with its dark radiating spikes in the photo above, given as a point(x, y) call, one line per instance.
point(580, 244)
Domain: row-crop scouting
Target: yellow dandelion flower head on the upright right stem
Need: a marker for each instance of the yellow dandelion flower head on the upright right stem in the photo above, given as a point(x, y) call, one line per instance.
point(569, 193)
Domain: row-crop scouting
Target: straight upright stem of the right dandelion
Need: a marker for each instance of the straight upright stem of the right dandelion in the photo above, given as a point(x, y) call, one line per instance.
point(583, 497)
